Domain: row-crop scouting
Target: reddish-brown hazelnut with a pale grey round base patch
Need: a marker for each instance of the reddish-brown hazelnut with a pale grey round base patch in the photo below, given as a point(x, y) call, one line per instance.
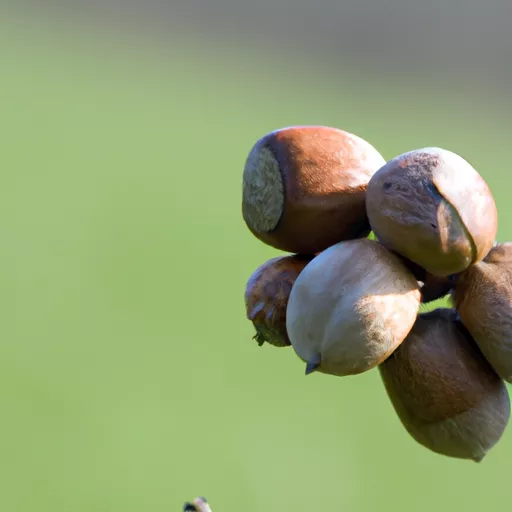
point(304, 187)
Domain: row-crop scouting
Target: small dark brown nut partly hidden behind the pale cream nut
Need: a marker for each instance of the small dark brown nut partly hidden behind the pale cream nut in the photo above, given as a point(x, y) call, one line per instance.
point(266, 297)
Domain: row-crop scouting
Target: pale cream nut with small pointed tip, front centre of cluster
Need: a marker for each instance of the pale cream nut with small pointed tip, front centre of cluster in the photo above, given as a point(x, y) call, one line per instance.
point(351, 307)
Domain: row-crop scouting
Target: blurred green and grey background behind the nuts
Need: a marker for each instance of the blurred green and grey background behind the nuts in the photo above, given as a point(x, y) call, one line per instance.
point(128, 377)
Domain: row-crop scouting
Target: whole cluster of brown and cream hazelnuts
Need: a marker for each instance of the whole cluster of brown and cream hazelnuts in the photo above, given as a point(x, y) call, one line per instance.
point(347, 302)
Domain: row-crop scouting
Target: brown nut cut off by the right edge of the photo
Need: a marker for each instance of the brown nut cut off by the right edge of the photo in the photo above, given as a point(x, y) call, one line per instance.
point(483, 299)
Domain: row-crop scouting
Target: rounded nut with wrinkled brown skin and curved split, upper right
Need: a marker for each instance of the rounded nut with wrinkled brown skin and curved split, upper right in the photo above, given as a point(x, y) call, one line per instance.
point(434, 208)
